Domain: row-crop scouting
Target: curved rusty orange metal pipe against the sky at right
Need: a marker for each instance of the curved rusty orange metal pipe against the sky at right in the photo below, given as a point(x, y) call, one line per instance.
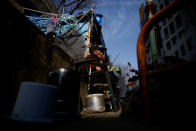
point(141, 50)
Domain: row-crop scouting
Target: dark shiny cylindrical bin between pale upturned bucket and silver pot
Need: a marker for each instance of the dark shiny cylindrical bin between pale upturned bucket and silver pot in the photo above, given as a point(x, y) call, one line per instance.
point(68, 83)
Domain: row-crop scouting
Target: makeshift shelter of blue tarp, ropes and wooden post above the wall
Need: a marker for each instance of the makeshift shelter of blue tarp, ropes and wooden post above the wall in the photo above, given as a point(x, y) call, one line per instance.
point(74, 34)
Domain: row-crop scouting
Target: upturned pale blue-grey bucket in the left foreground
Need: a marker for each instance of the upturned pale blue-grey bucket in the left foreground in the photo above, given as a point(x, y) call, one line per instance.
point(35, 103)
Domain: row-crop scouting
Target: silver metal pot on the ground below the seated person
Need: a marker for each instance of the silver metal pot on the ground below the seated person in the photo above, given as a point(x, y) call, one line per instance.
point(95, 103)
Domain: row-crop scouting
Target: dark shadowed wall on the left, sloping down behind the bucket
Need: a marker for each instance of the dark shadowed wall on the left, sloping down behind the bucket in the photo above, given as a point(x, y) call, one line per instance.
point(27, 55)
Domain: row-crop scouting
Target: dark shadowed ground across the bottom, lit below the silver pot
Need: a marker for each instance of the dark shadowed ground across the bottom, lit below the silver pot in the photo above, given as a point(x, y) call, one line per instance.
point(97, 121)
